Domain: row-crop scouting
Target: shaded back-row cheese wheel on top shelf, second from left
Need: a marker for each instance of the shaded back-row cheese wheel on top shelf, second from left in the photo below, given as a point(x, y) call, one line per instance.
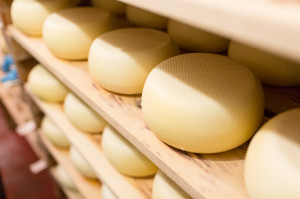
point(141, 17)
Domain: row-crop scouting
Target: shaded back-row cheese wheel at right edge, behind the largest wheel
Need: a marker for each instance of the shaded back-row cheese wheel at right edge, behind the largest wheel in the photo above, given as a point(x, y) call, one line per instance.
point(270, 69)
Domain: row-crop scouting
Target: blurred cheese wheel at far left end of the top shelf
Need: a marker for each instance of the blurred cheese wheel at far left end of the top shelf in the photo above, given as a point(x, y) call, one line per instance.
point(29, 15)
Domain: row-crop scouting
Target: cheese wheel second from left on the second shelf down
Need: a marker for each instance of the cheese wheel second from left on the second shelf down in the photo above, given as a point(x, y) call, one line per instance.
point(82, 116)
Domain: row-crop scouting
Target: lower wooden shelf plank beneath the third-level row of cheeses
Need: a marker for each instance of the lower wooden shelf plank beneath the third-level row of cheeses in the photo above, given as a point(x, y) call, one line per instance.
point(90, 189)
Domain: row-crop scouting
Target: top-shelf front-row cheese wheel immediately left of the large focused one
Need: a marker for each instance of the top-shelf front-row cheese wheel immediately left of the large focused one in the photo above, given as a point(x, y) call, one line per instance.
point(121, 60)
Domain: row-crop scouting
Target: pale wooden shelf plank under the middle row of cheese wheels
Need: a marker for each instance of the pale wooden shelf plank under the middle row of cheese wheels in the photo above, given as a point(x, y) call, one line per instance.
point(89, 146)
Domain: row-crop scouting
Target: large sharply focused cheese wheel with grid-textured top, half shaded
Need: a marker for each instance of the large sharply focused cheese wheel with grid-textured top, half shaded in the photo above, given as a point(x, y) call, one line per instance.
point(202, 103)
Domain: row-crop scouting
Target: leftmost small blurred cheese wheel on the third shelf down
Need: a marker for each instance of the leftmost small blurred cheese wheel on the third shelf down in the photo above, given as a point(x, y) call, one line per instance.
point(53, 133)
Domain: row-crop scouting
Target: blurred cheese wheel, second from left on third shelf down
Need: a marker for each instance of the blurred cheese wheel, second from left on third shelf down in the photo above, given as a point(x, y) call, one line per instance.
point(81, 164)
